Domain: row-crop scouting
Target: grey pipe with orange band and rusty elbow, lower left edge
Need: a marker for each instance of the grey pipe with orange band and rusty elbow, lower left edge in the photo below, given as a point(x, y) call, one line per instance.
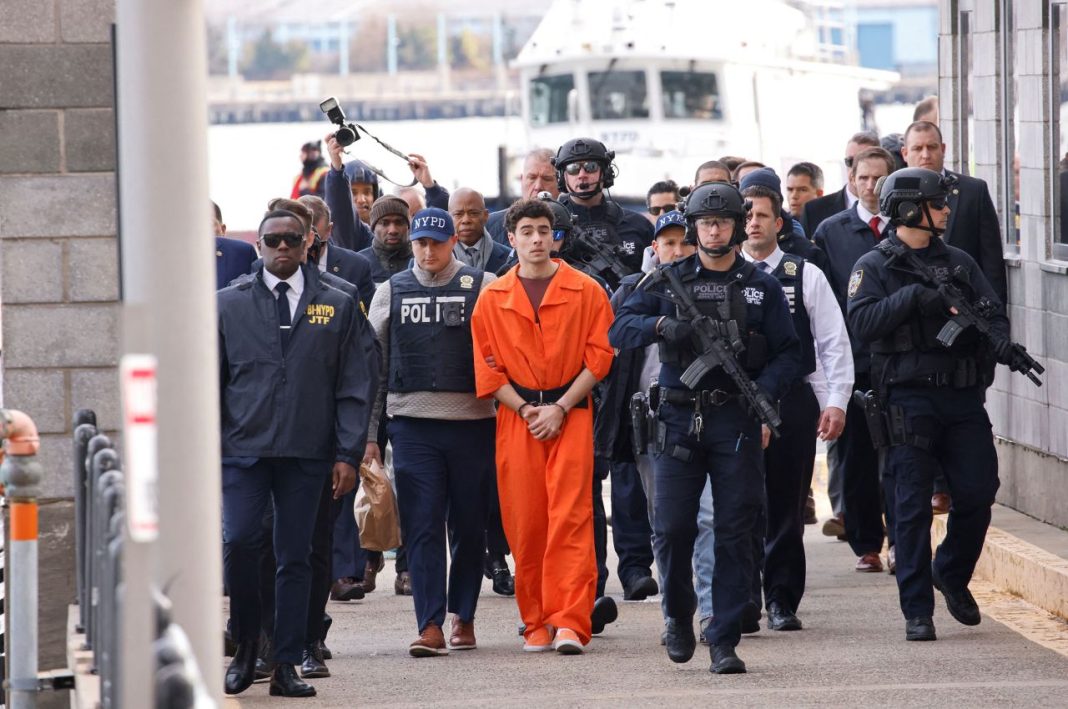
point(21, 474)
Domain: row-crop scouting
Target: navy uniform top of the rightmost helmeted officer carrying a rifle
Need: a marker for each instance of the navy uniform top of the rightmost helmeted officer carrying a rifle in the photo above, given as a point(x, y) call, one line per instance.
point(884, 298)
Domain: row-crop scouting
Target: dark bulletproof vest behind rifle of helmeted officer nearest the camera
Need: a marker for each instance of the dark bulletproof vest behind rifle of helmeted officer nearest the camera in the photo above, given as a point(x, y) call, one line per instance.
point(725, 303)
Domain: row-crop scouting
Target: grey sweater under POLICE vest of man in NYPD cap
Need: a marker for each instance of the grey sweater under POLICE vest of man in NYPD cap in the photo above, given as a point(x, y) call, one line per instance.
point(450, 406)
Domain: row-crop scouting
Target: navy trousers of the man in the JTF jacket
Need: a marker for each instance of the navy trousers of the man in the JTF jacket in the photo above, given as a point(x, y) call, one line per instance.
point(295, 487)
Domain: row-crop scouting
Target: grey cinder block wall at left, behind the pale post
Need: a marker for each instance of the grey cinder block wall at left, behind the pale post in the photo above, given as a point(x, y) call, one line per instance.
point(59, 283)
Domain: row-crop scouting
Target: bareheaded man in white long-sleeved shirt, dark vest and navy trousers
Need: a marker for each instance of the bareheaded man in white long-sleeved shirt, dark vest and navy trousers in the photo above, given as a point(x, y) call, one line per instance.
point(815, 405)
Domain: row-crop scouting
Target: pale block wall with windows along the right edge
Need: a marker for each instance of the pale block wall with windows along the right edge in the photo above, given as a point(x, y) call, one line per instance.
point(1032, 423)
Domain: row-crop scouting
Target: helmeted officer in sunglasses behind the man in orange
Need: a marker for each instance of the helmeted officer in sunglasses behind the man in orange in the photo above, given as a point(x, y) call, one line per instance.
point(585, 171)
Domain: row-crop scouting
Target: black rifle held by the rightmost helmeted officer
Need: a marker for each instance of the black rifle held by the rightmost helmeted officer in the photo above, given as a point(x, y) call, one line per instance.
point(969, 314)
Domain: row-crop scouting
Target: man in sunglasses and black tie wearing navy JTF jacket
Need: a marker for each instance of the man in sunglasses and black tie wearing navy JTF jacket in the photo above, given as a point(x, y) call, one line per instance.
point(287, 427)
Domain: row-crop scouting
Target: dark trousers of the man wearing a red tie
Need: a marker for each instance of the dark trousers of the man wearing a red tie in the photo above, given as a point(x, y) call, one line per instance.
point(863, 498)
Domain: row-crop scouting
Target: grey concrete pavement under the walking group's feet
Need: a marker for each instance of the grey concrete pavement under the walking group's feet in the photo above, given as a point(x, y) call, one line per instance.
point(852, 653)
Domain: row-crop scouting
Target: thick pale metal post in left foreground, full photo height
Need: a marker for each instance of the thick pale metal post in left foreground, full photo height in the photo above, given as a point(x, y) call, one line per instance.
point(168, 313)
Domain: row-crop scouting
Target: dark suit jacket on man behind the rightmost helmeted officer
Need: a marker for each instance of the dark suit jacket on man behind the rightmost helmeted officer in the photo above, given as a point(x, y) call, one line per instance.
point(976, 230)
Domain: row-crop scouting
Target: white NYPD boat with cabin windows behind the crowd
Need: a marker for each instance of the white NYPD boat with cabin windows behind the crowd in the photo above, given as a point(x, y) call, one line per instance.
point(669, 85)
